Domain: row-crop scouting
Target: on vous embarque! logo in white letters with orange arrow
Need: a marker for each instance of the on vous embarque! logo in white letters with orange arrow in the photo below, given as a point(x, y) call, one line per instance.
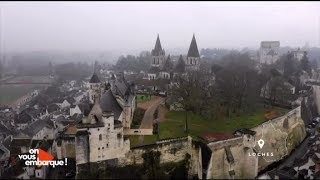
point(40, 157)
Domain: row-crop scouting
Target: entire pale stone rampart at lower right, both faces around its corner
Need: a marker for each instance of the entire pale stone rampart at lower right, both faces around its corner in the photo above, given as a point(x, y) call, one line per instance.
point(233, 158)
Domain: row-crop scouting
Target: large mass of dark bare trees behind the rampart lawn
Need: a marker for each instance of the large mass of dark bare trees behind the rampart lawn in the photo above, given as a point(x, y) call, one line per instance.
point(234, 86)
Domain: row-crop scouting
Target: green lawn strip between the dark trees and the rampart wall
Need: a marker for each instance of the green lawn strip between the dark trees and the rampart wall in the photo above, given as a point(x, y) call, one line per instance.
point(173, 126)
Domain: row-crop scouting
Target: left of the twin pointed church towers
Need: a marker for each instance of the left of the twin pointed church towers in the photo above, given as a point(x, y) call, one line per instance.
point(158, 55)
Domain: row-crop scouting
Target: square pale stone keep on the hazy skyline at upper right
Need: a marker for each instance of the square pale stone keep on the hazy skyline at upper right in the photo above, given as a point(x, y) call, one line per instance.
point(269, 52)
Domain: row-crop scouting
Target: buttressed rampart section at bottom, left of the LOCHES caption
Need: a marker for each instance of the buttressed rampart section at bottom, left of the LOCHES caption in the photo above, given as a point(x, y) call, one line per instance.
point(230, 159)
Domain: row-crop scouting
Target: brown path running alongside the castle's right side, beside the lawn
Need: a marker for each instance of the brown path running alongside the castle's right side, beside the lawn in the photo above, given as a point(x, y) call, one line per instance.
point(147, 120)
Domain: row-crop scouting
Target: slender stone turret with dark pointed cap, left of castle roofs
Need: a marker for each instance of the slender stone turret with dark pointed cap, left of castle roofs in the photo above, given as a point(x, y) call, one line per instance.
point(95, 88)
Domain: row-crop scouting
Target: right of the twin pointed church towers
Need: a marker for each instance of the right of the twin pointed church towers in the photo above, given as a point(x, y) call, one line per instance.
point(192, 61)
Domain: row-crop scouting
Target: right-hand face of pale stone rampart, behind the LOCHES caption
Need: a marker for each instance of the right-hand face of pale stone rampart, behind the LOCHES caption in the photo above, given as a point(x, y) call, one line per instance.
point(292, 129)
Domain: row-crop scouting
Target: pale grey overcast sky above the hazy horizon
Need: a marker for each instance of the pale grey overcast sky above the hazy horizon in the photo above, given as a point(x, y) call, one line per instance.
point(134, 25)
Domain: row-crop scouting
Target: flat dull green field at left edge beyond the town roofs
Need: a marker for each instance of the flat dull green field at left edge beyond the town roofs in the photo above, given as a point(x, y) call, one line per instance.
point(10, 93)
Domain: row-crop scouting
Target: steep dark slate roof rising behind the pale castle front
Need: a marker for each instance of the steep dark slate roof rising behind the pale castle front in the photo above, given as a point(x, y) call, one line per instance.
point(108, 103)
